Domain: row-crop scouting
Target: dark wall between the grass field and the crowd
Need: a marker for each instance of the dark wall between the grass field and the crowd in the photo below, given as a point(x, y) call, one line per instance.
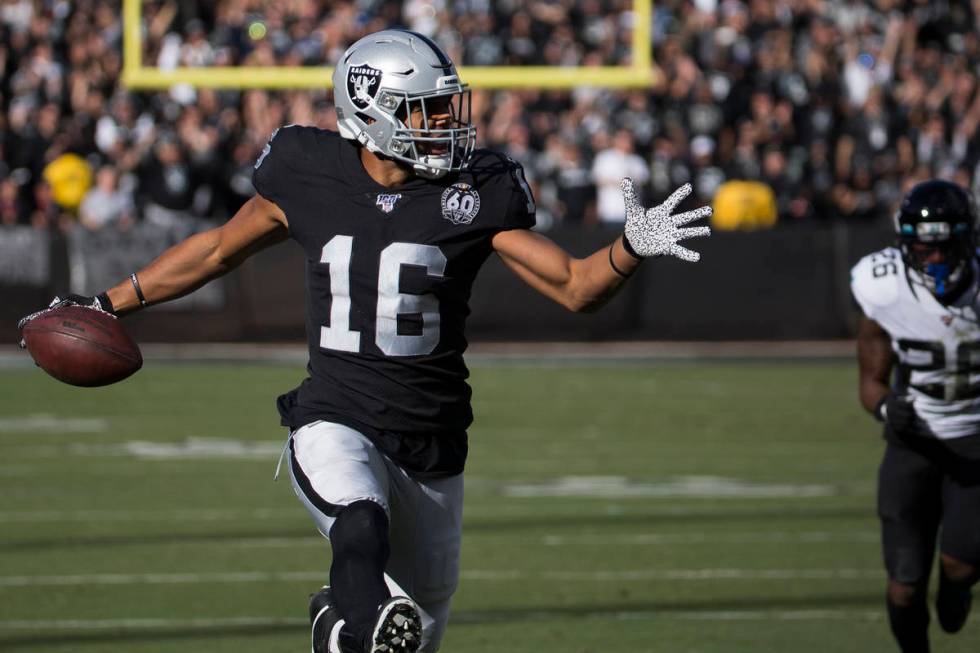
point(787, 283)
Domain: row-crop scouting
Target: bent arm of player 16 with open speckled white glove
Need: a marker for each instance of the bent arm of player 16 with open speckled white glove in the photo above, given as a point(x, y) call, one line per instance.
point(585, 285)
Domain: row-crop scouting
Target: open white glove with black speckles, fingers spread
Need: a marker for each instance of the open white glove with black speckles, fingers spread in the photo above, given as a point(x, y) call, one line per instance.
point(655, 232)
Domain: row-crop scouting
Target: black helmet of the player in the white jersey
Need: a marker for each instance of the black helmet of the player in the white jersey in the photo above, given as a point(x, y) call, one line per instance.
point(937, 234)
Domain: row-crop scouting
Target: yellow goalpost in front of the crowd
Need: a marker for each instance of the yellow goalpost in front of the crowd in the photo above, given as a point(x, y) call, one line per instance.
point(136, 76)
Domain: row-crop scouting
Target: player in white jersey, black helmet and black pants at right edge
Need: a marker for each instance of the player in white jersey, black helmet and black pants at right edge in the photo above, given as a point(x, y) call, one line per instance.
point(919, 360)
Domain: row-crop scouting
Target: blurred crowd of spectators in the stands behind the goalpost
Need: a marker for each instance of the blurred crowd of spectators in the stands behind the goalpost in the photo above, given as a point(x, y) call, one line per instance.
point(831, 108)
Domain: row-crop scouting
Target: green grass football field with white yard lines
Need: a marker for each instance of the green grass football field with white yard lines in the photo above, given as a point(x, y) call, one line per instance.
point(656, 506)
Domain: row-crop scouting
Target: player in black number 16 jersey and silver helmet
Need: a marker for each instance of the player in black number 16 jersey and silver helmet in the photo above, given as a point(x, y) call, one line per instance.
point(395, 214)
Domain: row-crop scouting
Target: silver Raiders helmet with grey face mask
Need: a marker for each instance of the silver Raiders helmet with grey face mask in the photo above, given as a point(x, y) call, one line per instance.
point(385, 77)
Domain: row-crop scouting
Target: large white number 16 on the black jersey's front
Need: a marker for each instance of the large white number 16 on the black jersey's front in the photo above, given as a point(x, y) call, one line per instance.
point(391, 303)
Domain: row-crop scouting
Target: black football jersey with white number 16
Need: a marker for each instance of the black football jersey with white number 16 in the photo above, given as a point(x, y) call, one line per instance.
point(388, 279)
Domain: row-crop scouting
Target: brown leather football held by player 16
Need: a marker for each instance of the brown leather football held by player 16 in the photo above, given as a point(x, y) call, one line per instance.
point(81, 346)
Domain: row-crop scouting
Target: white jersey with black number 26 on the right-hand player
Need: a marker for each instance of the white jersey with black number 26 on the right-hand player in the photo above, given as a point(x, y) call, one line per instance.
point(938, 347)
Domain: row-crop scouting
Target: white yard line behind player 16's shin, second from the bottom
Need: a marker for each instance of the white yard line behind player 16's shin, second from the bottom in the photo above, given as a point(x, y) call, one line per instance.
point(237, 577)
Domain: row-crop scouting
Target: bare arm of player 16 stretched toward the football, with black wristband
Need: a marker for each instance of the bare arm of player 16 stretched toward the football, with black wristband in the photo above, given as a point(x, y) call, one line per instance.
point(190, 264)
